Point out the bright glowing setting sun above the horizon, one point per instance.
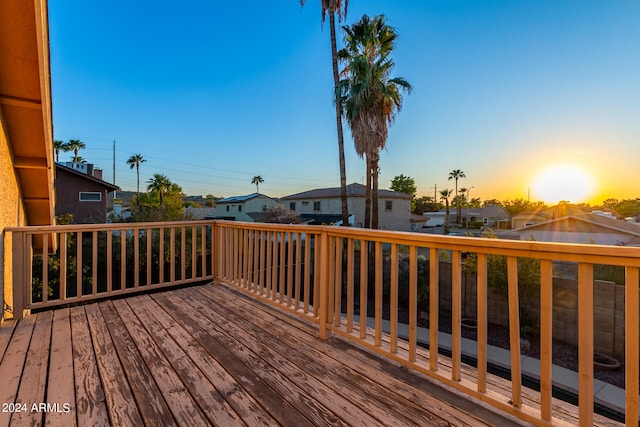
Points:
(563, 182)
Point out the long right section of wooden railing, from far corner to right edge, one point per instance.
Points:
(352, 269)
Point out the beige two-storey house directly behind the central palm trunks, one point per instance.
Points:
(394, 208)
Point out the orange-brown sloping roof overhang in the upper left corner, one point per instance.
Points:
(25, 103)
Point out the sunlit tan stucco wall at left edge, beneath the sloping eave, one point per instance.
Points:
(11, 213)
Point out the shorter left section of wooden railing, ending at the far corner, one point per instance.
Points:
(76, 263)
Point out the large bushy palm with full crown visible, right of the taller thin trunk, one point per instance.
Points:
(370, 97)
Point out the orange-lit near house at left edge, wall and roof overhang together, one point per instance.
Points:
(26, 132)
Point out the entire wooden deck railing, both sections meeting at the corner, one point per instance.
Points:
(342, 278)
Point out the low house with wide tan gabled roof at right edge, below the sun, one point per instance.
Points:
(585, 228)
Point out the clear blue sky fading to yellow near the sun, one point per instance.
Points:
(212, 93)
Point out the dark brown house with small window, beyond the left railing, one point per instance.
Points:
(82, 195)
